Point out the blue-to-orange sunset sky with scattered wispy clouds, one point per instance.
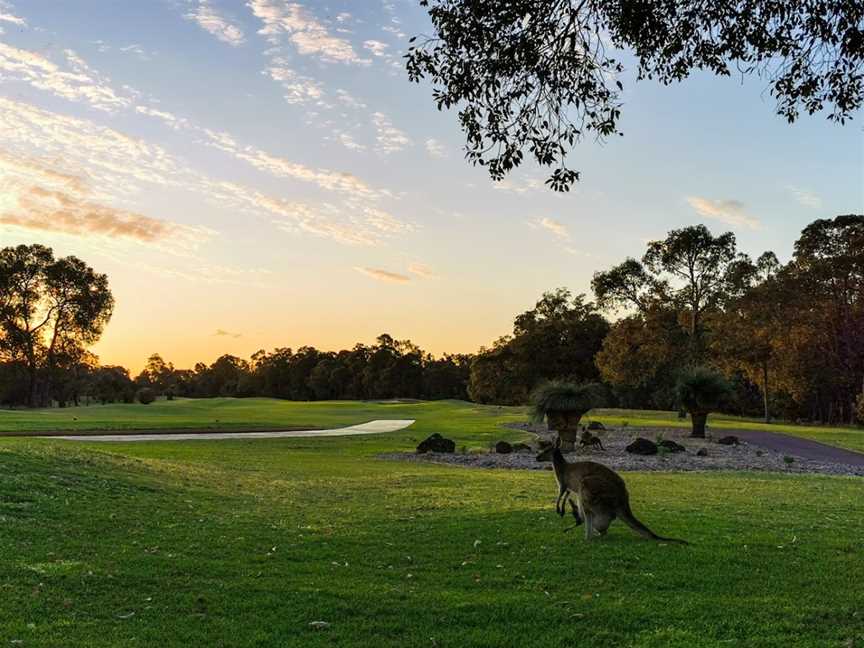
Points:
(260, 174)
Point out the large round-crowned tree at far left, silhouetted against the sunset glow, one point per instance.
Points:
(51, 310)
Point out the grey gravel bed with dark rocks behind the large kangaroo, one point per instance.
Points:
(720, 457)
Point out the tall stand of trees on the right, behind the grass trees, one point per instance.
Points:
(789, 337)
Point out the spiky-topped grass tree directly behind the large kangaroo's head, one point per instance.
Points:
(563, 404)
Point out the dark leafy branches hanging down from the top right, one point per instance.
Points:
(535, 77)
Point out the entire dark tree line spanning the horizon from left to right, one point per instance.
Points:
(789, 337)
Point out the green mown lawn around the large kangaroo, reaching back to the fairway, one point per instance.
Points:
(245, 543)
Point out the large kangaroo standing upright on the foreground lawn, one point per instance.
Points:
(600, 494)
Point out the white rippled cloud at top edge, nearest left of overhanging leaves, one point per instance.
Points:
(303, 30)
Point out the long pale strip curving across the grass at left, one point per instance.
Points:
(372, 427)
